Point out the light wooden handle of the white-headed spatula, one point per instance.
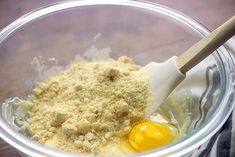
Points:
(206, 46)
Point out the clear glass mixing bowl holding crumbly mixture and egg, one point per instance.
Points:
(44, 41)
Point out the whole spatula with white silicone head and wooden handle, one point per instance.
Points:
(164, 77)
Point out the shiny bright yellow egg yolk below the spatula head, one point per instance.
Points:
(149, 135)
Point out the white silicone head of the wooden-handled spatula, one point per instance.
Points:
(163, 79)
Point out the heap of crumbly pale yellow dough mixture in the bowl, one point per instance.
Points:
(89, 104)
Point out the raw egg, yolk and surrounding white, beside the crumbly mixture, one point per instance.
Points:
(146, 135)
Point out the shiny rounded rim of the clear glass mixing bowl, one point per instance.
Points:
(32, 148)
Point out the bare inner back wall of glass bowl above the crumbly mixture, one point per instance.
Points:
(145, 36)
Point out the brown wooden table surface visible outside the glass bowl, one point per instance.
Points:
(211, 13)
